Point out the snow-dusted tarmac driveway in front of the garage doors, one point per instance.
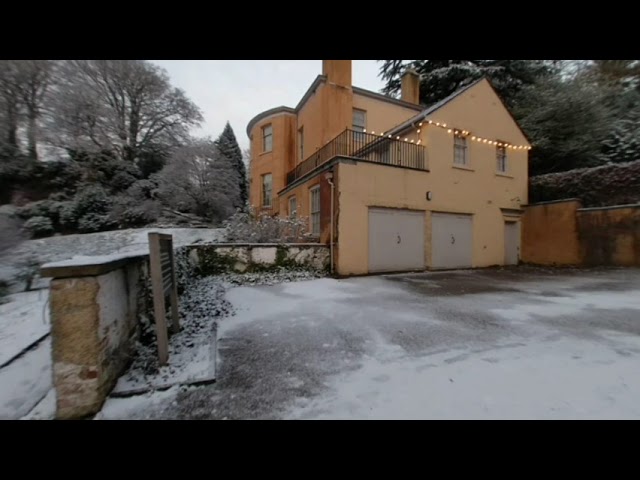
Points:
(483, 344)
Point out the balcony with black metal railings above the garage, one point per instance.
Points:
(365, 147)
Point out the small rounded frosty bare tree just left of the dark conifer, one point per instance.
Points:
(200, 180)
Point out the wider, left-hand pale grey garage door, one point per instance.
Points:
(396, 240)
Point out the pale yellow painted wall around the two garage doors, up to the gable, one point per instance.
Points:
(478, 190)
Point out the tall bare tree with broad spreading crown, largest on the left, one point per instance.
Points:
(124, 105)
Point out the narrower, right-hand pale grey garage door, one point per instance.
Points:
(451, 240)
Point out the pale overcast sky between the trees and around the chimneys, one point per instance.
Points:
(237, 90)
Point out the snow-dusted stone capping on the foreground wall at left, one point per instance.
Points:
(86, 266)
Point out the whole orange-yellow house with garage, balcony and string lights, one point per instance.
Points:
(390, 184)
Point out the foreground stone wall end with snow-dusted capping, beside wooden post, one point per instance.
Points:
(94, 304)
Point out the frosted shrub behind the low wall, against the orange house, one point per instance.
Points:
(247, 227)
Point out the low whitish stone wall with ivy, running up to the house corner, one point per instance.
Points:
(240, 258)
